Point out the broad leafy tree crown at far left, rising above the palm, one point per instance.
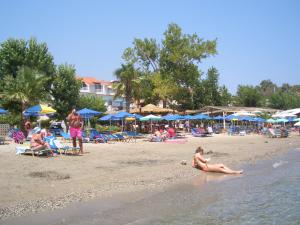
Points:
(16, 53)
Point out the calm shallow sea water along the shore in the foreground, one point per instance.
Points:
(268, 193)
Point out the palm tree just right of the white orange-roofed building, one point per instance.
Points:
(128, 84)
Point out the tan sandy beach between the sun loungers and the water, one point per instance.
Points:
(34, 184)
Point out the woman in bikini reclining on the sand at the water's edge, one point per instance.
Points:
(199, 162)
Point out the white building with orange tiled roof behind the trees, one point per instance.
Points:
(92, 86)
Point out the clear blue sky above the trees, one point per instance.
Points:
(257, 39)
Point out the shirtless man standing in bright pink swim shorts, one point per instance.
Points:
(76, 124)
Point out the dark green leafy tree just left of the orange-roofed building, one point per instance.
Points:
(65, 90)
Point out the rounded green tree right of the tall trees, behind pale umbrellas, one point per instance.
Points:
(248, 96)
